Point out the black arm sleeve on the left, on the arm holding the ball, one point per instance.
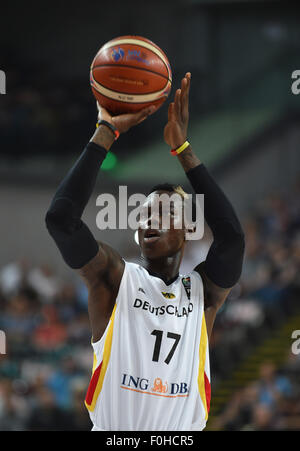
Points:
(63, 219)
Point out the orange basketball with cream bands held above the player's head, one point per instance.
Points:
(130, 73)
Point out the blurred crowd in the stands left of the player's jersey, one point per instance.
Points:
(46, 369)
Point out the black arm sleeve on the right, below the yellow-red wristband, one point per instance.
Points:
(224, 260)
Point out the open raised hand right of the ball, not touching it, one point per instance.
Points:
(175, 132)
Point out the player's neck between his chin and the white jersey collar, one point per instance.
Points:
(166, 268)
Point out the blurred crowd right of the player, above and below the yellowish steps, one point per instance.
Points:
(267, 294)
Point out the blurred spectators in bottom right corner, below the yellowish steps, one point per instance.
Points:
(271, 403)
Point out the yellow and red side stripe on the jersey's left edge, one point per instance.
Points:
(98, 372)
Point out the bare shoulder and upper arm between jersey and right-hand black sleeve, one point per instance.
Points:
(214, 297)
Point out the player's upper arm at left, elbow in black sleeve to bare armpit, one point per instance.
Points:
(100, 266)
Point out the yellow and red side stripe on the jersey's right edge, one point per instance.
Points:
(203, 380)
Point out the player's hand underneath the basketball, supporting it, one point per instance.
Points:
(124, 122)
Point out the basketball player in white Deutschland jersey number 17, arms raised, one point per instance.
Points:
(150, 325)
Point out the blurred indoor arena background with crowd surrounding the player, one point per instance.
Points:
(244, 125)
